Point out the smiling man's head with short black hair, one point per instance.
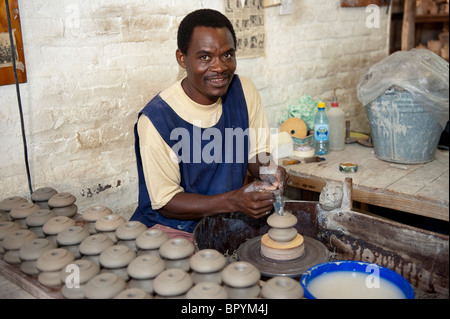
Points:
(206, 49)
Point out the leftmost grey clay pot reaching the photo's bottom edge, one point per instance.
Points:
(75, 276)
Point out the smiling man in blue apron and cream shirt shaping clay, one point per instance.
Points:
(196, 140)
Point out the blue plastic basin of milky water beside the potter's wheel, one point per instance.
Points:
(372, 271)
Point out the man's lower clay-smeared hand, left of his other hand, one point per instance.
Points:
(255, 199)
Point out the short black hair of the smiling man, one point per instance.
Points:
(201, 18)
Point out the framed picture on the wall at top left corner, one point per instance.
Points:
(6, 61)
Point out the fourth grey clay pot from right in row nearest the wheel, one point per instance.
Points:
(176, 253)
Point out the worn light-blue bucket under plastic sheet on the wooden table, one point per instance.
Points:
(402, 132)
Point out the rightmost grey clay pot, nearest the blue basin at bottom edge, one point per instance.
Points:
(282, 288)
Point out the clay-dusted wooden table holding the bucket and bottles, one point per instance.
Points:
(421, 189)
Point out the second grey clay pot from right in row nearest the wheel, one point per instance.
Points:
(240, 274)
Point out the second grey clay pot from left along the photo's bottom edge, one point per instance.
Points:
(104, 286)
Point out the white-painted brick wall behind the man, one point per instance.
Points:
(92, 65)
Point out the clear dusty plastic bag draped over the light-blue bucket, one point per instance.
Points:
(419, 71)
